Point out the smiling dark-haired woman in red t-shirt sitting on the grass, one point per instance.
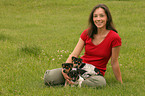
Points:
(101, 42)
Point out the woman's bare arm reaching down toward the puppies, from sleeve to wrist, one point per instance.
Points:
(77, 50)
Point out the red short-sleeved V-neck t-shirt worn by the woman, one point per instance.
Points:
(99, 55)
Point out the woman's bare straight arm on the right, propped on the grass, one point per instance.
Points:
(115, 63)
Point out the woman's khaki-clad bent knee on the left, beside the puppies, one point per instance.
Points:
(53, 77)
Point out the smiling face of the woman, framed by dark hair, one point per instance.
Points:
(100, 18)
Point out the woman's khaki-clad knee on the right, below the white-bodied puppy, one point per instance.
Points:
(94, 81)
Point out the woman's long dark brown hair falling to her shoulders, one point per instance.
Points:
(109, 24)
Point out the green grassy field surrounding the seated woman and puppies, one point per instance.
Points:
(36, 35)
